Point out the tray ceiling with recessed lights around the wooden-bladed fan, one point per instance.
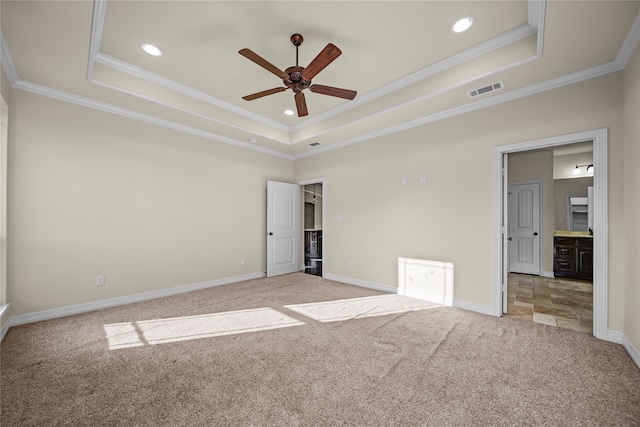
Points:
(400, 56)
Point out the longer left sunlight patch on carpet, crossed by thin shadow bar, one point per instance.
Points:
(160, 331)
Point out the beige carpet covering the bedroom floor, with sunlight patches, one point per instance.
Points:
(298, 350)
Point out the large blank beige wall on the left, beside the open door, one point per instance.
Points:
(149, 208)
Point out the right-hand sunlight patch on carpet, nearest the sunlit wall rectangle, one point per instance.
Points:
(335, 311)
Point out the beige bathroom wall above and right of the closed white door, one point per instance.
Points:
(538, 166)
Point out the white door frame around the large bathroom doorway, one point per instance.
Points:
(599, 138)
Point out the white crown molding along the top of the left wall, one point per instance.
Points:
(135, 115)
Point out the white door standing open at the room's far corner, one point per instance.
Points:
(283, 228)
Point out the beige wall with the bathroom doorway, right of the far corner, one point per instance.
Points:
(450, 218)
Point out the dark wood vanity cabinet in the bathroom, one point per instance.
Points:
(573, 257)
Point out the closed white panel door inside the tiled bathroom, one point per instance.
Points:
(524, 228)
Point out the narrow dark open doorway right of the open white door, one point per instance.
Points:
(313, 227)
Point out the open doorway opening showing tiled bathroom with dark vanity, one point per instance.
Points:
(550, 244)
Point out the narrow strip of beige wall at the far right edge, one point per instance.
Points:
(632, 200)
